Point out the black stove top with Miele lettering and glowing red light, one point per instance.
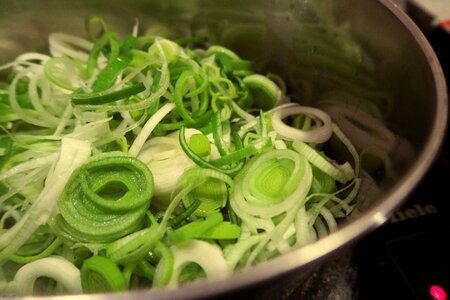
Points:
(408, 257)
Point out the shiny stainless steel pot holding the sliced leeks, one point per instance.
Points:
(378, 35)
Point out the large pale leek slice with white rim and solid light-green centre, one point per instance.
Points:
(270, 184)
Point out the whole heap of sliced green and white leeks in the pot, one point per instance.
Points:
(146, 162)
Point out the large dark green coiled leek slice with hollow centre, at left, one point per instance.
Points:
(106, 198)
